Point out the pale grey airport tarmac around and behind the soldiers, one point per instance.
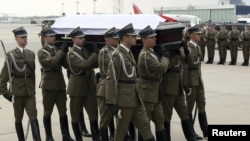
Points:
(226, 88)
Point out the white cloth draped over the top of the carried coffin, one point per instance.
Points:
(97, 24)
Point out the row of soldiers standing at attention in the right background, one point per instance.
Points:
(224, 38)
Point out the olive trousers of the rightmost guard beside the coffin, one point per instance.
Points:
(197, 96)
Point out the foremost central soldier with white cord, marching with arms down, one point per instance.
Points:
(121, 94)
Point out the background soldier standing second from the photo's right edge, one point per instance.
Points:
(234, 41)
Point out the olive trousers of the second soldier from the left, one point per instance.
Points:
(52, 97)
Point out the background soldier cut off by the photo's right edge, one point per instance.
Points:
(245, 35)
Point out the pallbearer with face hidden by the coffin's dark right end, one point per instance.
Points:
(172, 92)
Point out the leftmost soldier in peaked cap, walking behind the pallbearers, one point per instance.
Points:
(19, 70)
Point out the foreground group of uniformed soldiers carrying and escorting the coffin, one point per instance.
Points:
(132, 91)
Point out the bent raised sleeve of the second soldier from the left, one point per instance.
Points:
(49, 61)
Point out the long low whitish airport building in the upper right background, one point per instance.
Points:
(226, 11)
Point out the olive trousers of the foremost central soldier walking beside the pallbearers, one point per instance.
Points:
(138, 116)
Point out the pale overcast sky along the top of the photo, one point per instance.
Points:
(55, 7)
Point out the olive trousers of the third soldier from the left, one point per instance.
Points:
(78, 102)
